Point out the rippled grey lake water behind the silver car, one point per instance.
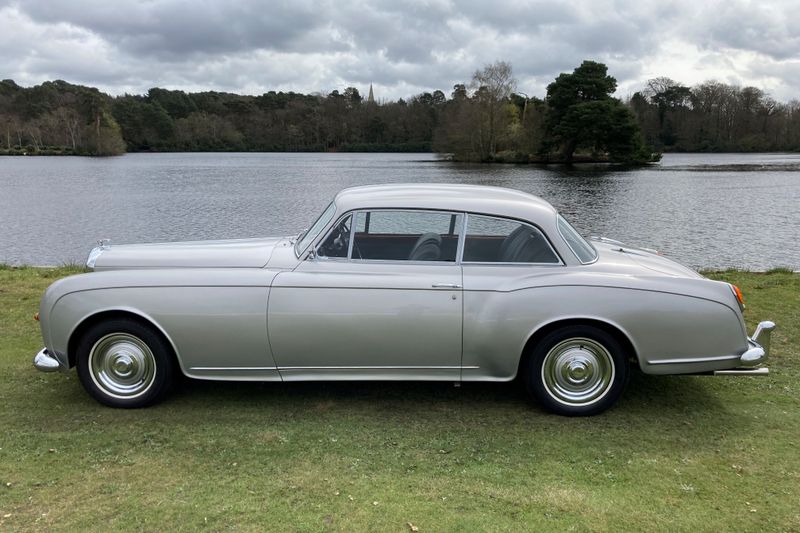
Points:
(705, 210)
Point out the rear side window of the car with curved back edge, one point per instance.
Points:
(499, 240)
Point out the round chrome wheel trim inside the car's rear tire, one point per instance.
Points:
(578, 372)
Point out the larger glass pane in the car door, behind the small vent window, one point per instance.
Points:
(406, 235)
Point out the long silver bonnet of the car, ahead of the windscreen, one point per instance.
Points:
(239, 253)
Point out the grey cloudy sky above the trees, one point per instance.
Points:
(403, 48)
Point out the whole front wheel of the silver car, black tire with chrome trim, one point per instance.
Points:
(124, 363)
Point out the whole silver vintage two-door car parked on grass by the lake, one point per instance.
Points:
(398, 282)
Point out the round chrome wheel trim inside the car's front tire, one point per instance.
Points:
(122, 365)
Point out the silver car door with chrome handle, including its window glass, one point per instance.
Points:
(382, 301)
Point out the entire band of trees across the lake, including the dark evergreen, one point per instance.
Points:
(484, 119)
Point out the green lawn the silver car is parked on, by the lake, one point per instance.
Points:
(677, 453)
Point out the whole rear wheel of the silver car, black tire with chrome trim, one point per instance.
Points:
(577, 371)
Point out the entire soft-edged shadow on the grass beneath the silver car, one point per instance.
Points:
(664, 411)
